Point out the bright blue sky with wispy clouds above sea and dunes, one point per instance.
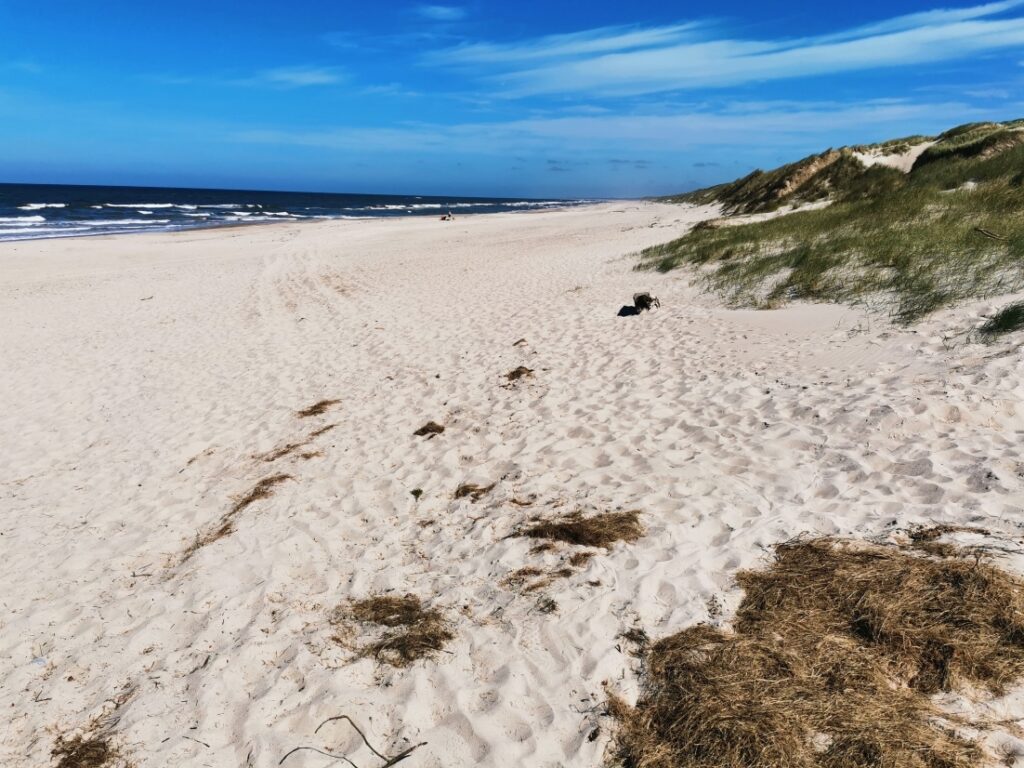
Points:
(595, 99)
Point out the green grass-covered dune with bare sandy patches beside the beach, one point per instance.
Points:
(951, 229)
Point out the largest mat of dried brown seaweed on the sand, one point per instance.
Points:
(836, 651)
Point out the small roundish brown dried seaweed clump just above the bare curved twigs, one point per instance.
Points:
(404, 630)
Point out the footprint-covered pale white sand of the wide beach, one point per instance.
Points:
(131, 423)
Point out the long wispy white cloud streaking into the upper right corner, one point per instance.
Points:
(617, 62)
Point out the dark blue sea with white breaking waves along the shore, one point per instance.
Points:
(36, 211)
